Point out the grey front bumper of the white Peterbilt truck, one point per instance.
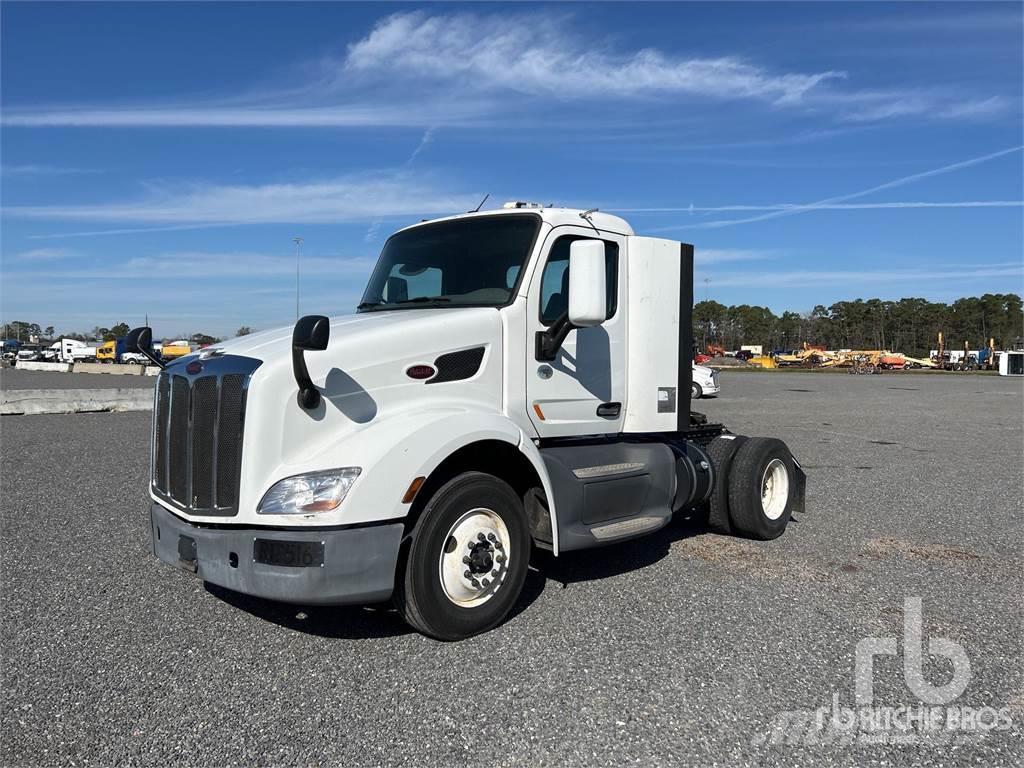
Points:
(359, 563)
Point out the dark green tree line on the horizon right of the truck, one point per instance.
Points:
(911, 326)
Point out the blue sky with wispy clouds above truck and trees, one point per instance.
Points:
(158, 159)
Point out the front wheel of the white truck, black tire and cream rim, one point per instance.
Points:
(467, 561)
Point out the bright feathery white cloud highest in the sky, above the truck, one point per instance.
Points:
(539, 56)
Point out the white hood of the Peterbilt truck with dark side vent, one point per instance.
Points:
(362, 376)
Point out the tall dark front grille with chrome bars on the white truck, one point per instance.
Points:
(197, 435)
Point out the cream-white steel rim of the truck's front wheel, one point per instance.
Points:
(464, 543)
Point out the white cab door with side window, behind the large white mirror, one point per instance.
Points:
(581, 392)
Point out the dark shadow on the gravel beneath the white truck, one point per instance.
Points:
(345, 622)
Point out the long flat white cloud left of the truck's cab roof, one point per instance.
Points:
(353, 198)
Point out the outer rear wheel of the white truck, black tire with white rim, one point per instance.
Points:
(761, 485)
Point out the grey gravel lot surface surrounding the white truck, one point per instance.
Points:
(679, 649)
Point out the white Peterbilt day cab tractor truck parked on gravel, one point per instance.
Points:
(513, 379)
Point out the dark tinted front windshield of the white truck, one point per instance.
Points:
(467, 263)
